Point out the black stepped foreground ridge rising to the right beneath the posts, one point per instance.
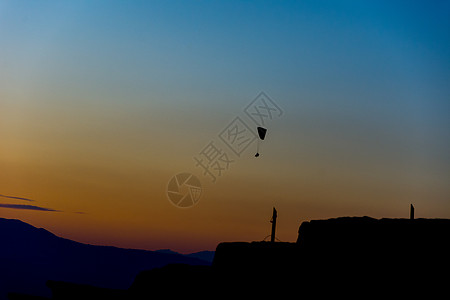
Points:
(350, 256)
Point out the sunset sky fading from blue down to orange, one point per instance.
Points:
(102, 102)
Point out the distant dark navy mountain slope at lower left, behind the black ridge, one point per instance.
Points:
(30, 256)
